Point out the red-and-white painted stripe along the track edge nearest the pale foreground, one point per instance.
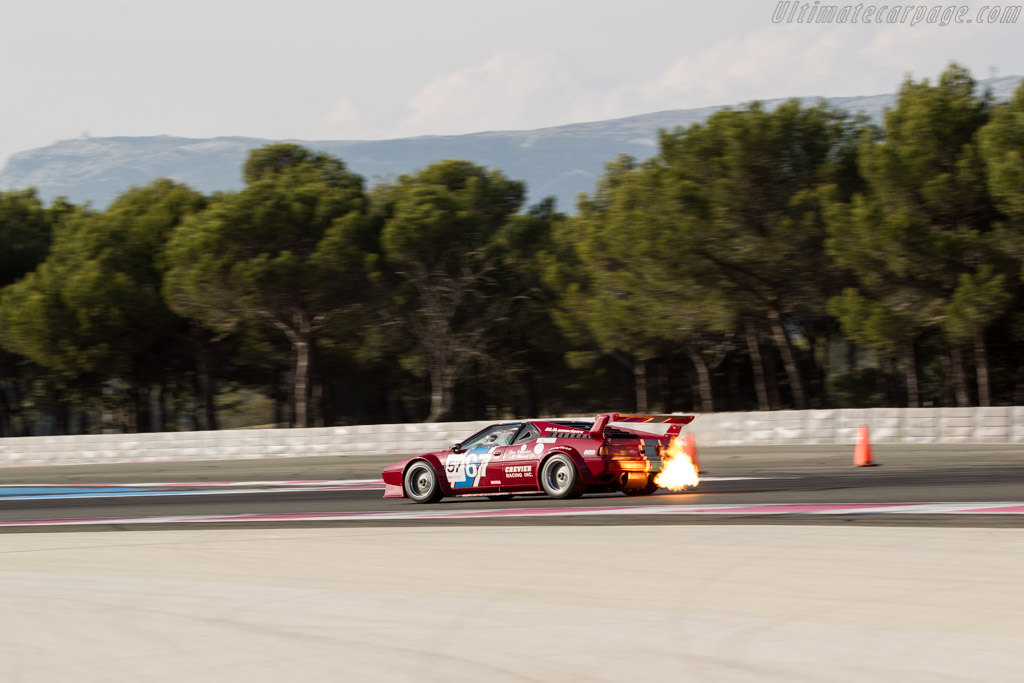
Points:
(1007, 508)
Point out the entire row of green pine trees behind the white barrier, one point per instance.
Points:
(797, 235)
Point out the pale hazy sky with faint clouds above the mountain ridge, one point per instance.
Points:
(335, 70)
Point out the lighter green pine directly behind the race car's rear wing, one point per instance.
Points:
(629, 289)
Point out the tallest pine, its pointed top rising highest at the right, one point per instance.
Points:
(918, 234)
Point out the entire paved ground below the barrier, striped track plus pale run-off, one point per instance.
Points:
(784, 565)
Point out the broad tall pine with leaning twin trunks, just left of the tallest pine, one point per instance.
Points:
(747, 191)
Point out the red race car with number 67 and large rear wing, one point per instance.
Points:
(562, 458)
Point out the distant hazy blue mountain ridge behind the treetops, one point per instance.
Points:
(560, 161)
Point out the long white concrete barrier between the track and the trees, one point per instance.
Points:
(927, 425)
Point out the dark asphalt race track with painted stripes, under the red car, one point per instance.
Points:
(933, 486)
